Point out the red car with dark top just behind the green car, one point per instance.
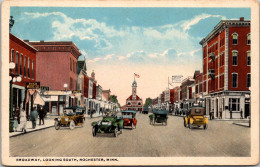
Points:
(129, 118)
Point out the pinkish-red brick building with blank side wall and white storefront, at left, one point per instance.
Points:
(57, 66)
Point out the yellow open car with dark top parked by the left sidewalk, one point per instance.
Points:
(72, 116)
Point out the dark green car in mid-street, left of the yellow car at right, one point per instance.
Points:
(159, 116)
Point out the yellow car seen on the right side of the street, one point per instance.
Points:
(196, 117)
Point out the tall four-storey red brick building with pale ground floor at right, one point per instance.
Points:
(226, 69)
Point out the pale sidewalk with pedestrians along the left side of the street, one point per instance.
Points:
(48, 122)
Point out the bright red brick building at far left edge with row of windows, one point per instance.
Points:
(24, 57)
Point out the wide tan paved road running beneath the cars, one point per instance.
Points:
(220, 139)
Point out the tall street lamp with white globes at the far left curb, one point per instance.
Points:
(12, 78)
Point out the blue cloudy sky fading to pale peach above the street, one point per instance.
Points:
(155, 43)
